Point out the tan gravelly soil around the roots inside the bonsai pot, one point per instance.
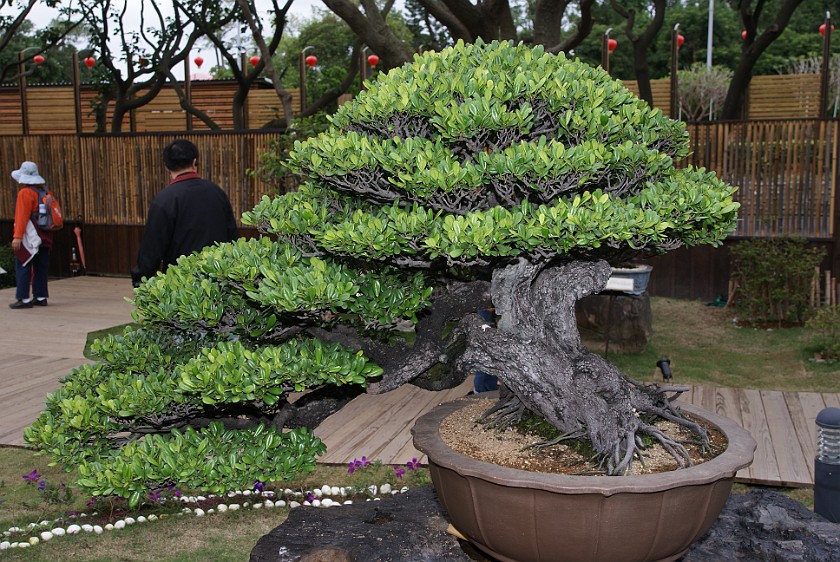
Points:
(513, 448)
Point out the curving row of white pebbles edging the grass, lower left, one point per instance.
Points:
(326, 496)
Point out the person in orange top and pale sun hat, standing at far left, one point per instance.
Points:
(35, 271)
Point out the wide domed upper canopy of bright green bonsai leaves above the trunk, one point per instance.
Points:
(485, 152)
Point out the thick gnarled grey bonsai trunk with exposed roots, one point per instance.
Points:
(536, 351)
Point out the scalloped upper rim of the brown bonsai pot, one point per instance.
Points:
(738, 454)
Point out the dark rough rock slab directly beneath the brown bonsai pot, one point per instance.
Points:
(758, 526)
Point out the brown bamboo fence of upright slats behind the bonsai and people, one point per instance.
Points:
(786, 171)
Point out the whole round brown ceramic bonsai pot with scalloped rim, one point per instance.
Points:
(516, 515)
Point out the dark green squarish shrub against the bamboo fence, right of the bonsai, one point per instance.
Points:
(774, 277)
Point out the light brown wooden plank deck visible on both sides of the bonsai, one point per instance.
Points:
(41, 345)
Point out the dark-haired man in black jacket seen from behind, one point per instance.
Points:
(189, 214)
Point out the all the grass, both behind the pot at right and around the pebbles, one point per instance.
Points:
(704, 344)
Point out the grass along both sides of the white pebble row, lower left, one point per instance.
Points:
(217, 537)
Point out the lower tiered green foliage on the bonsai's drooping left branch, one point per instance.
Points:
(219, 341)
